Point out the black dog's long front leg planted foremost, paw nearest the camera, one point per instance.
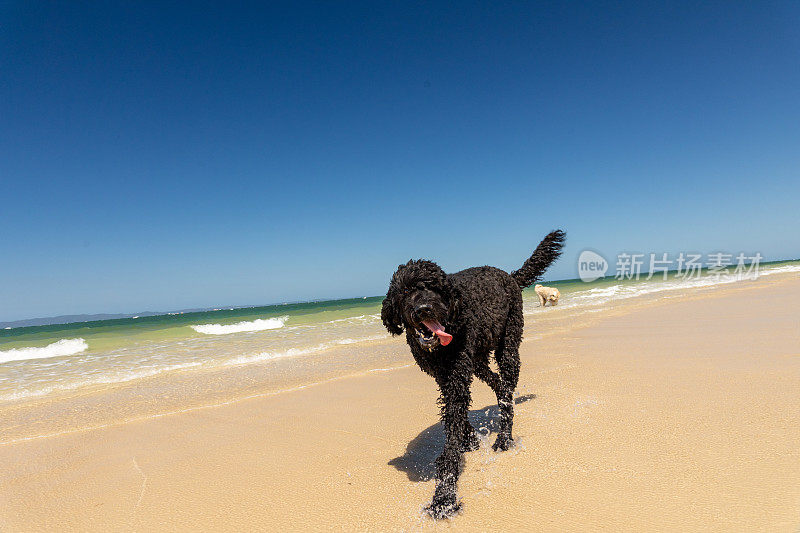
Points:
(455, 402)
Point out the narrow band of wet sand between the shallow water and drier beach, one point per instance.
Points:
(103, 407)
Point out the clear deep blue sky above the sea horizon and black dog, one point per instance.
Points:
(168, 155)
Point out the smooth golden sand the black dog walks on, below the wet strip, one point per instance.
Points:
(677, 415)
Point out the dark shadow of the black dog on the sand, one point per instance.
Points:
(418, 461)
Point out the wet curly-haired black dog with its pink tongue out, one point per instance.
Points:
(480, 311)
